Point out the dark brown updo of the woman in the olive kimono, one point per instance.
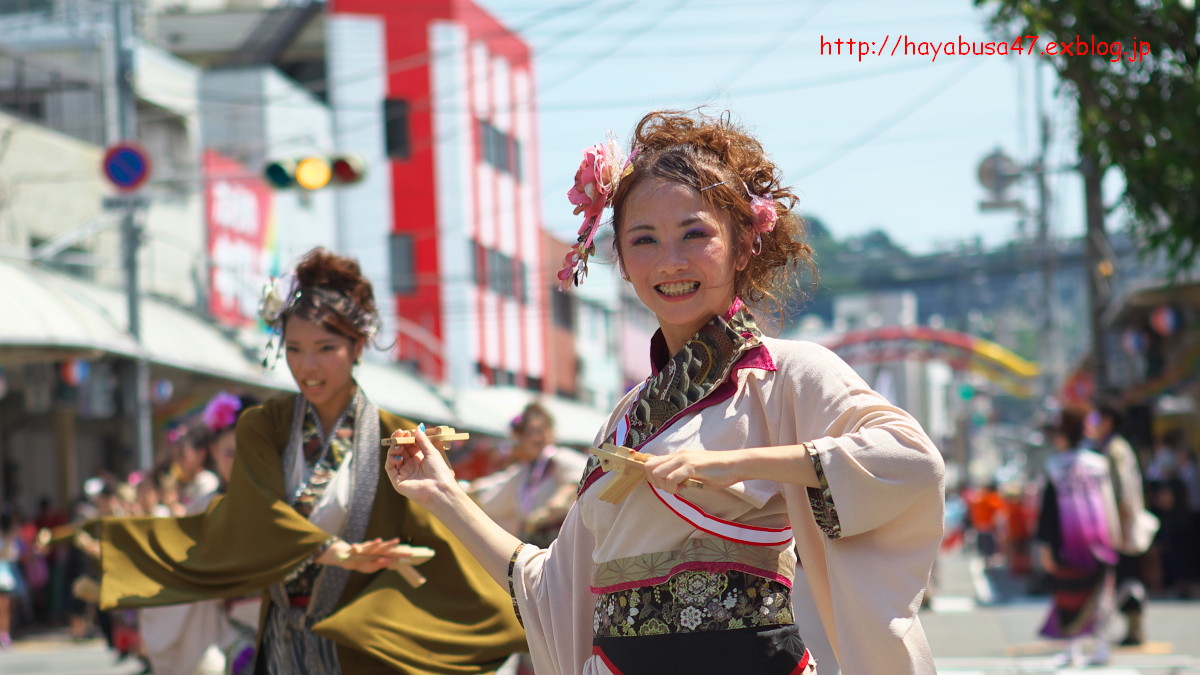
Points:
(335, 294)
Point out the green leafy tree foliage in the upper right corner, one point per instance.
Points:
(1139, 114)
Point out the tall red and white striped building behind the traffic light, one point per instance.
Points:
(459, 118)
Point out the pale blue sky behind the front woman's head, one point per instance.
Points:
(889, 142)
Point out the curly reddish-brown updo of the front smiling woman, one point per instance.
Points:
(717, 158)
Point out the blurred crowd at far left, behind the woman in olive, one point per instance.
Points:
(47, 559)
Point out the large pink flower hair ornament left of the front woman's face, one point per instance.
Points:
(596, 182)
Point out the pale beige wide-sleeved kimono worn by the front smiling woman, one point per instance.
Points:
(866, 542)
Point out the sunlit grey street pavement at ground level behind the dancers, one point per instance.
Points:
(981, 623)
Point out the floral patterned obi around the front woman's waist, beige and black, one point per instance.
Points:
(709, 586)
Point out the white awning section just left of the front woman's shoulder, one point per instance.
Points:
(490, 411)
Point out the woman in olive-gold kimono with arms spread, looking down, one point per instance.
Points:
(309, 521)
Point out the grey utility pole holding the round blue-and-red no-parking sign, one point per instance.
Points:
(131, 230)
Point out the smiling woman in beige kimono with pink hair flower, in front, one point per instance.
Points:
(795, 452)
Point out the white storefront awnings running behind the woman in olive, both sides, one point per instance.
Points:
(47, 316)
